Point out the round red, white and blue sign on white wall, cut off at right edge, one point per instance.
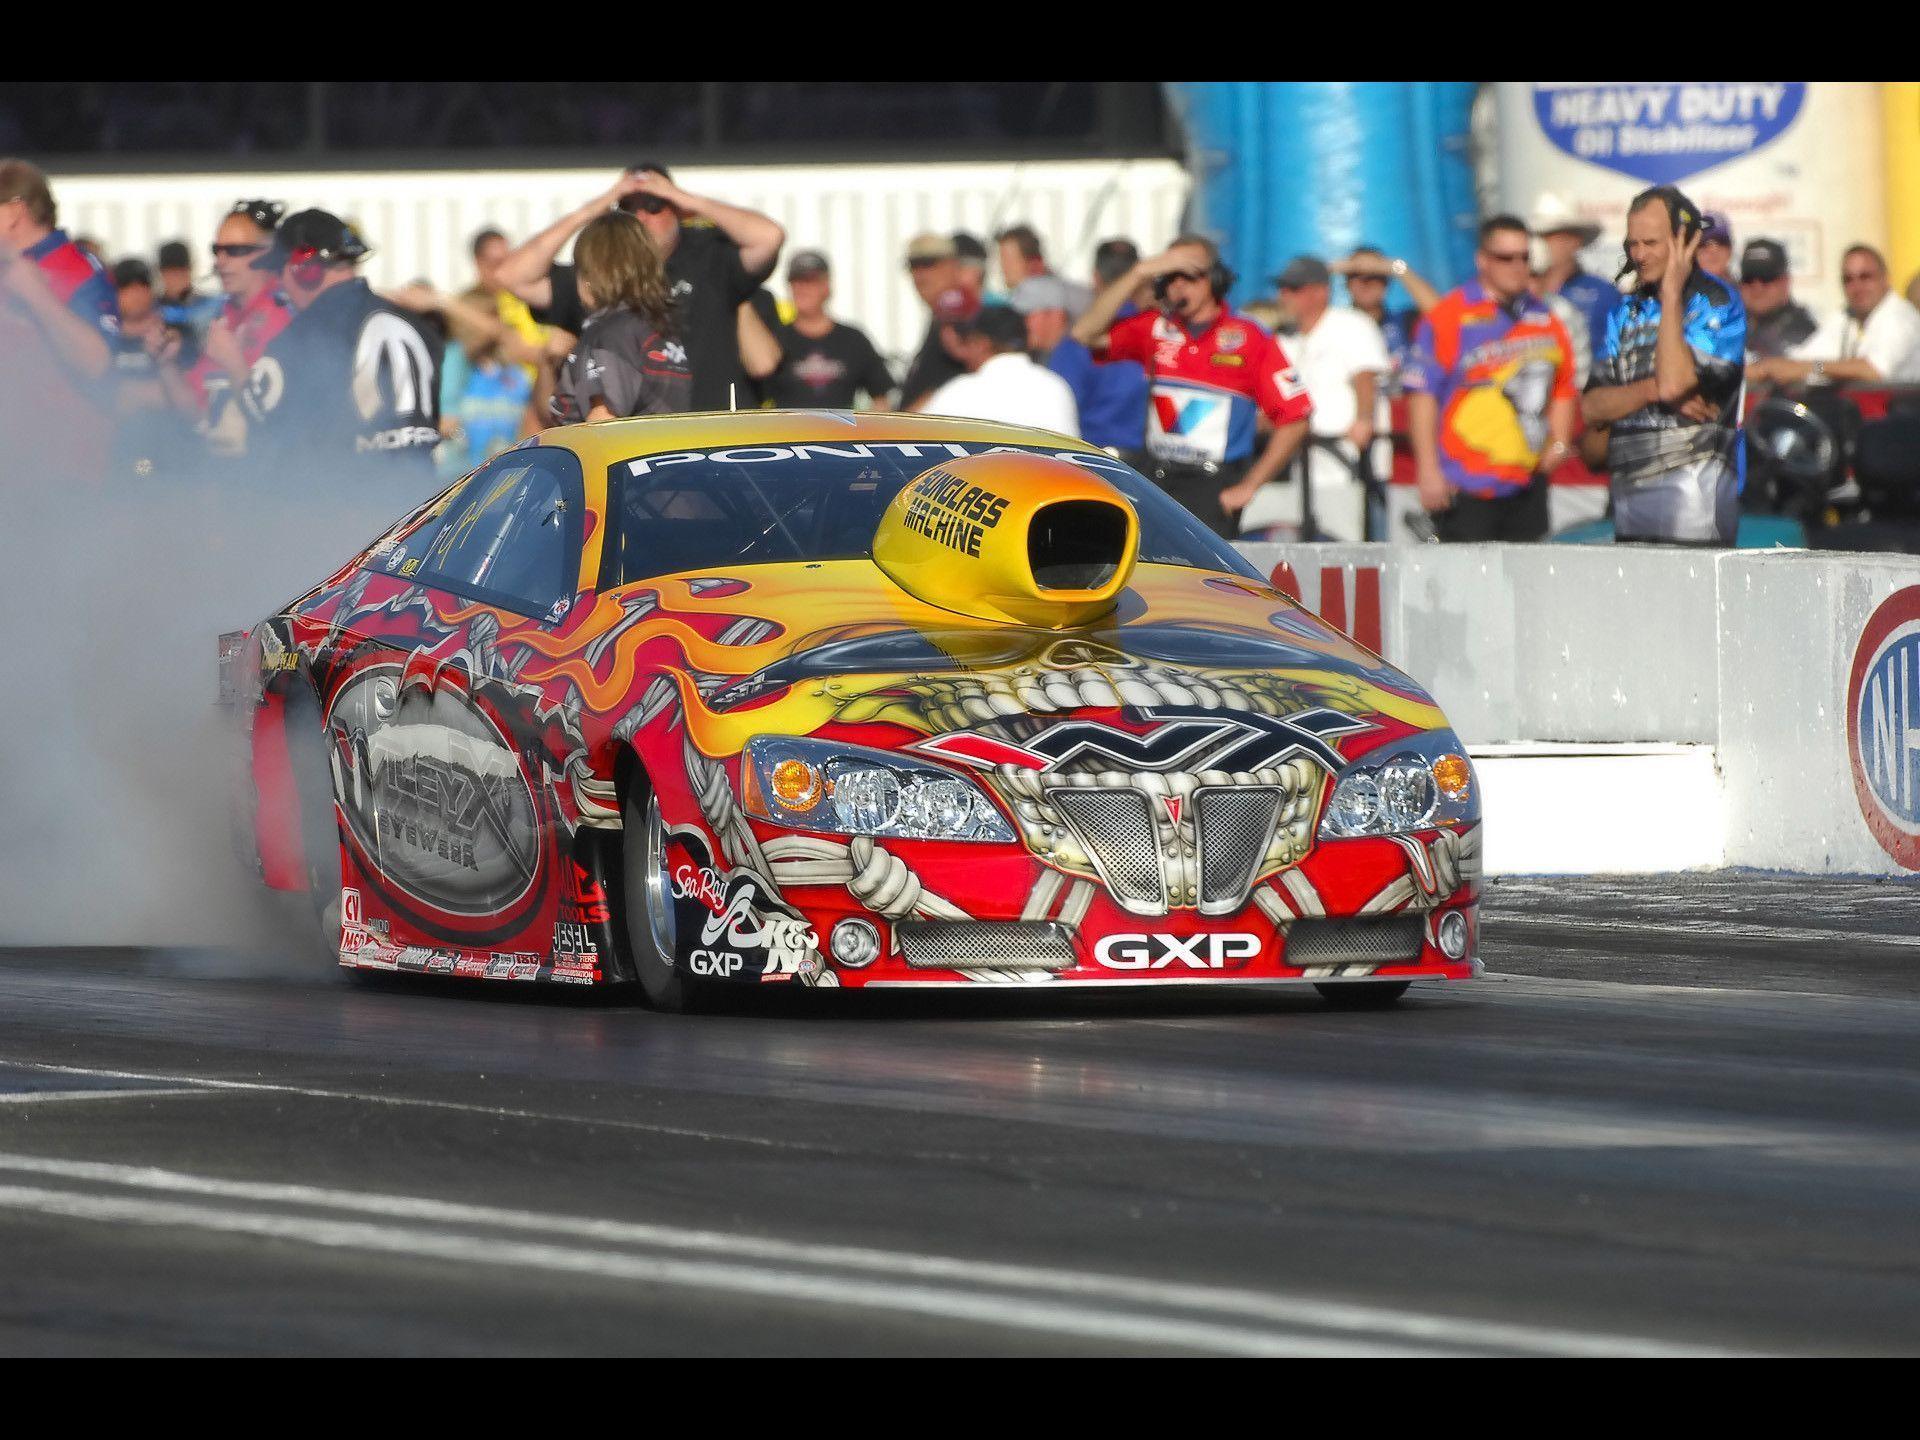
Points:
(1884, 725)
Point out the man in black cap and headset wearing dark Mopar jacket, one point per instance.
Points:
(350, 385)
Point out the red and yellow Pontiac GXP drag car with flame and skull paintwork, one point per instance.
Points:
(840, 702)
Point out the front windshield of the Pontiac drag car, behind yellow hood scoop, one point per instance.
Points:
(719, 510)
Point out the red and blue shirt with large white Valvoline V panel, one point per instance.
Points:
(1205, 389)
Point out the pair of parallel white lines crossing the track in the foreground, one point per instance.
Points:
(1019, 1297)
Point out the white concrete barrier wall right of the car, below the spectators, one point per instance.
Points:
(1746, 652)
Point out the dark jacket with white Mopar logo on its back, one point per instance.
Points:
(350, 383)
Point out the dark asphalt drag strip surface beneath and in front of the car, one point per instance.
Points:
(1677, 1116)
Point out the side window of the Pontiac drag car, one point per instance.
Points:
(512, 535)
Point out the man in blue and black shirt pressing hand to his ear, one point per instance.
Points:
(1668, 385)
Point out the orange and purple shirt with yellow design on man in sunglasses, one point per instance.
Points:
(1493, 370)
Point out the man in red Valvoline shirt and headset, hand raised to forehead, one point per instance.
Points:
(1209, 373)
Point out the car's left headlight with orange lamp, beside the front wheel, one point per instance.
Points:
(850, 790)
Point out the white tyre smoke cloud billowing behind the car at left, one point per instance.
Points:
(114, 754)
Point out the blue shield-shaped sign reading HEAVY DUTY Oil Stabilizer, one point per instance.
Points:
(1664, 133)
